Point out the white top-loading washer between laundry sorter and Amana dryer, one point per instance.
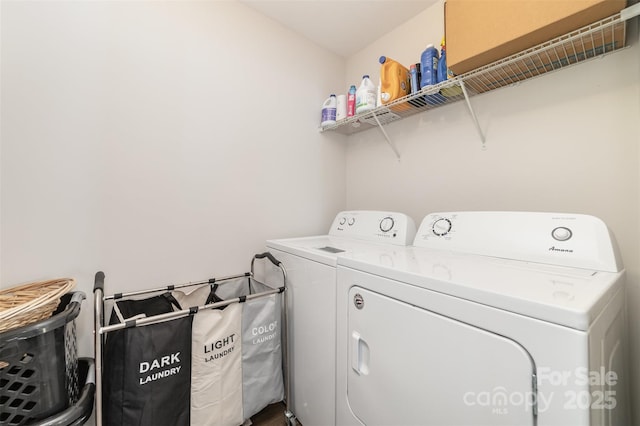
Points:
(310, 263)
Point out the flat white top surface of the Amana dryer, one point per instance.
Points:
(566, 296)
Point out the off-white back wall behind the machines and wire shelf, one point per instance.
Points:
(565, 142)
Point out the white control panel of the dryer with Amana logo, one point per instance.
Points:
(563, 239)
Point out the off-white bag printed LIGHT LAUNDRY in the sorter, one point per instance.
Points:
(216, 363)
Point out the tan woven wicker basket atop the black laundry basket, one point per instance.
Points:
(29, 303)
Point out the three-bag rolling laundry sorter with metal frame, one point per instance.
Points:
(211, 352)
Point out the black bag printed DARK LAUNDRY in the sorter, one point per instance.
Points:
(147, 369)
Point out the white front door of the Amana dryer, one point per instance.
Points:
(410, 366)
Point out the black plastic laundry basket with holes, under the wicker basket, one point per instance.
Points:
(39, 366)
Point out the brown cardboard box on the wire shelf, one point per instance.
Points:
(479, 32)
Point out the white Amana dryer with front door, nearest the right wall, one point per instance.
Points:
(492, 318)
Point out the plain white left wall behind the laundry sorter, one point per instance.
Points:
(160, 142)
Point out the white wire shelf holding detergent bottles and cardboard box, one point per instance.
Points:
(591, 41)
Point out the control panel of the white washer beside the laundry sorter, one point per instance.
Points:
(387, 227)
